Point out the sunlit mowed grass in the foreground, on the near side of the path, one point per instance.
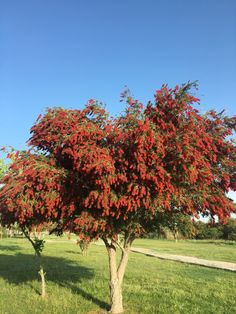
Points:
(77, 284)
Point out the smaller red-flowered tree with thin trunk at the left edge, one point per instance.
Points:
(29, 197)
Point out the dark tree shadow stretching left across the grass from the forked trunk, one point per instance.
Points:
(23, 268)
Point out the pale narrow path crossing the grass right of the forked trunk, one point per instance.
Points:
(187, 259)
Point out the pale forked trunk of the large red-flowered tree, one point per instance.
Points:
(116, 276)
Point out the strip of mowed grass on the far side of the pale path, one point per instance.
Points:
(207, 249)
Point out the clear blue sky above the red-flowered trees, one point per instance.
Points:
(62, 53)
